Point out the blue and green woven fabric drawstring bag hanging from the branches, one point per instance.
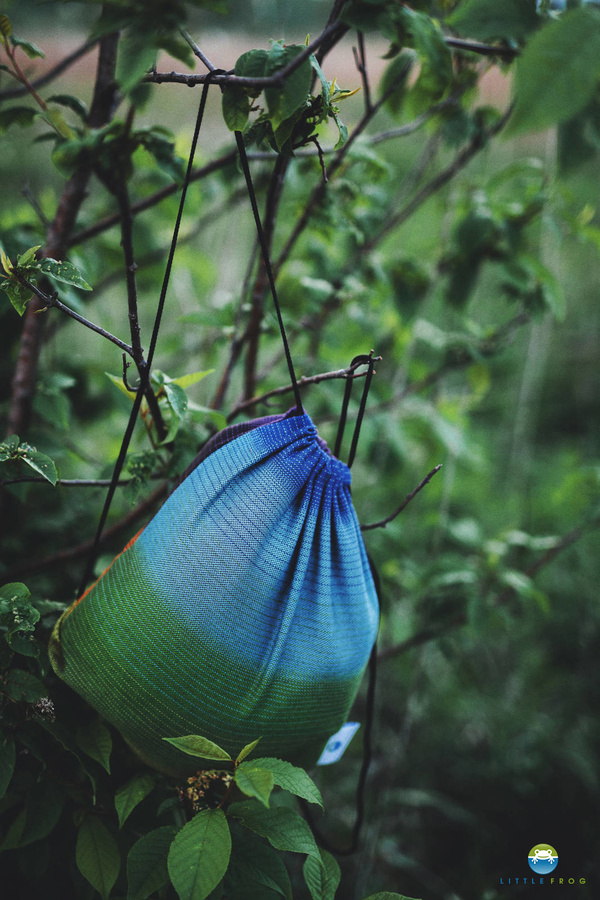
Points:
(244, 609)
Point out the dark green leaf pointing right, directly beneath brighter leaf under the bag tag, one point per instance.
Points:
(284, 828)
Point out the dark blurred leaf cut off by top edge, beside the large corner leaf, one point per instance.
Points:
(488, 20)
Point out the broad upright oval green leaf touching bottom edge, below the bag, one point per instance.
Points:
(199, 855)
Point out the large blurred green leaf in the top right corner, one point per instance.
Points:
(557, 74)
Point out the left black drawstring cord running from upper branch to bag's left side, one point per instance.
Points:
(145, 375)
